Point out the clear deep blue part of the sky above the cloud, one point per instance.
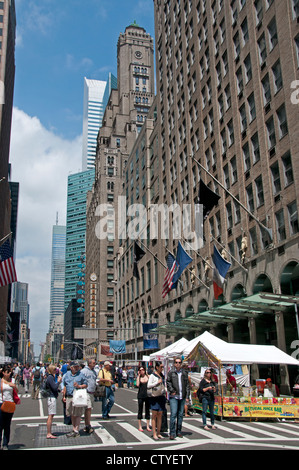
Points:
(61, 41)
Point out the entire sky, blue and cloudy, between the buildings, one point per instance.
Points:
(58, 43)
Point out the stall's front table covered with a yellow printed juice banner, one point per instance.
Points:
(253, 407)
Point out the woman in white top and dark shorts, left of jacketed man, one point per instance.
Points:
(157, 402)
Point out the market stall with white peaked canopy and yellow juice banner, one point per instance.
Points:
(245, 400)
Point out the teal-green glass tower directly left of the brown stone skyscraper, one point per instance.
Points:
(78, 186)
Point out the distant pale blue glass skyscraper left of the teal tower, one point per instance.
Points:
(57, 279)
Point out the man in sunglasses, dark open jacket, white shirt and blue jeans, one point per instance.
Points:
(178, 387)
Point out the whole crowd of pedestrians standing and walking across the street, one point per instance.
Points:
(80, 385)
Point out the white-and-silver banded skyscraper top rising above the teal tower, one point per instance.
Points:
(93, 111)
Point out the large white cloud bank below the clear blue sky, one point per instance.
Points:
(41, 162)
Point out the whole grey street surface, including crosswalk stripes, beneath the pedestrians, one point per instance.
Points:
(120, 432)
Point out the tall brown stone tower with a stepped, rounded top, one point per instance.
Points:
(125, 113)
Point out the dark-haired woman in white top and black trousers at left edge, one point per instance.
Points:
(7, 401)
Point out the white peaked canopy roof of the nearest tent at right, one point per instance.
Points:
(235, 353)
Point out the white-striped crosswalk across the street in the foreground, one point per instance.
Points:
(121, 431)
